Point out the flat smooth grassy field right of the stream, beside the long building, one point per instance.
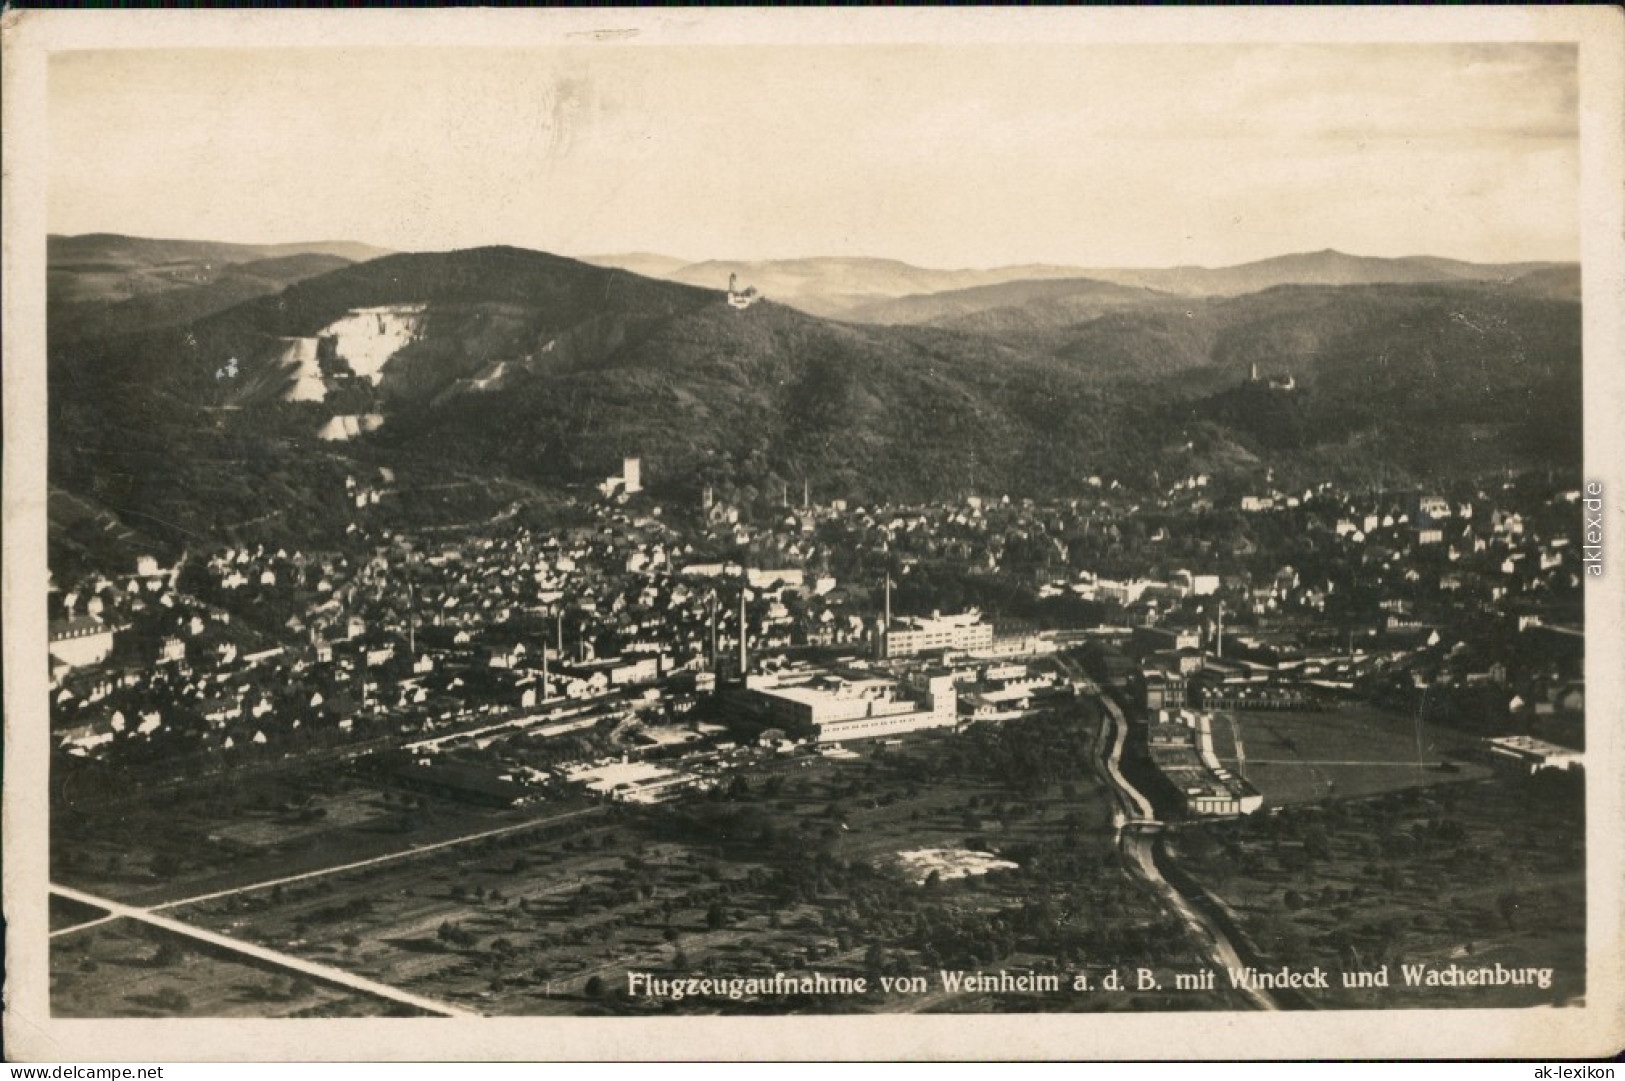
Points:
(1348, 752)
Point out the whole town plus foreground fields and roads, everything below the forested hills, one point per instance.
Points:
(505, 766)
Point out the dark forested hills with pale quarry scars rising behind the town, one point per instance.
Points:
(503, 363)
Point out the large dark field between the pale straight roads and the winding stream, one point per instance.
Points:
(792, 870)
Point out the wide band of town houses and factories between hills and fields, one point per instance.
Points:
(641, 651)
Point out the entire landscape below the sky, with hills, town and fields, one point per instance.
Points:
(479, 632)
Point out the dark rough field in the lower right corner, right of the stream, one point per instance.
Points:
(1480, 874)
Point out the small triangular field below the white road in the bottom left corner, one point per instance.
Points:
(126, 970)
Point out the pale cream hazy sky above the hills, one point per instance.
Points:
(950, 157)
